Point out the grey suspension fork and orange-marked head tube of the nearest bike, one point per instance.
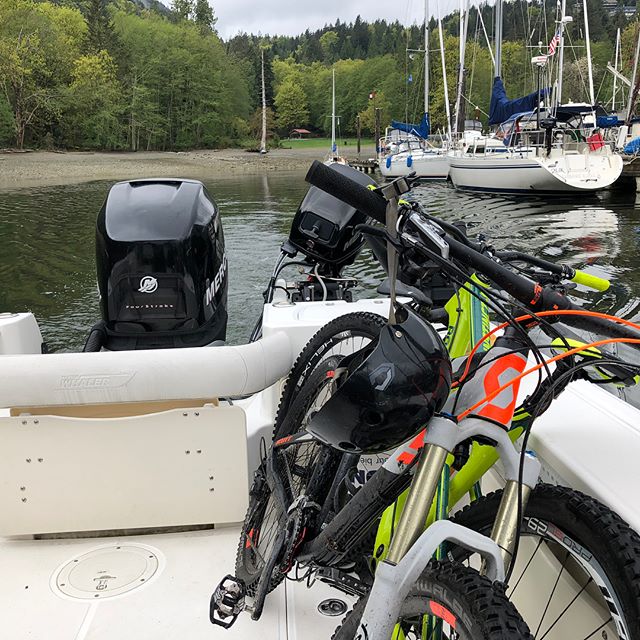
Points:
(413, 543)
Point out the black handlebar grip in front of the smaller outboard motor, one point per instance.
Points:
(343, 188)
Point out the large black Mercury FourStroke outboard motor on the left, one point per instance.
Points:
(162, 269)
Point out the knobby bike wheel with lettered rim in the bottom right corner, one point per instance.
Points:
(577, 572)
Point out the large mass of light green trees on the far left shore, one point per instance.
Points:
(155, 84)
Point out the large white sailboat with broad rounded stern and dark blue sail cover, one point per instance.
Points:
(535, 150)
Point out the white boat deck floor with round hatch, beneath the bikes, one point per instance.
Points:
(170, 604)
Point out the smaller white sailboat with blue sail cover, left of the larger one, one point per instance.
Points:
(403, 154)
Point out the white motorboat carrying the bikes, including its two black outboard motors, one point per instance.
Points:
(125, 470)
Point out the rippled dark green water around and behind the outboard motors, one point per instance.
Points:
(47, 261)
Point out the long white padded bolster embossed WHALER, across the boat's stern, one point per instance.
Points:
(140, 376)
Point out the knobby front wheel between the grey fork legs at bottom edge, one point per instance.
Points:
(466, 604)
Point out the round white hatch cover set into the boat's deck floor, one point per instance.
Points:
(107, 572)
